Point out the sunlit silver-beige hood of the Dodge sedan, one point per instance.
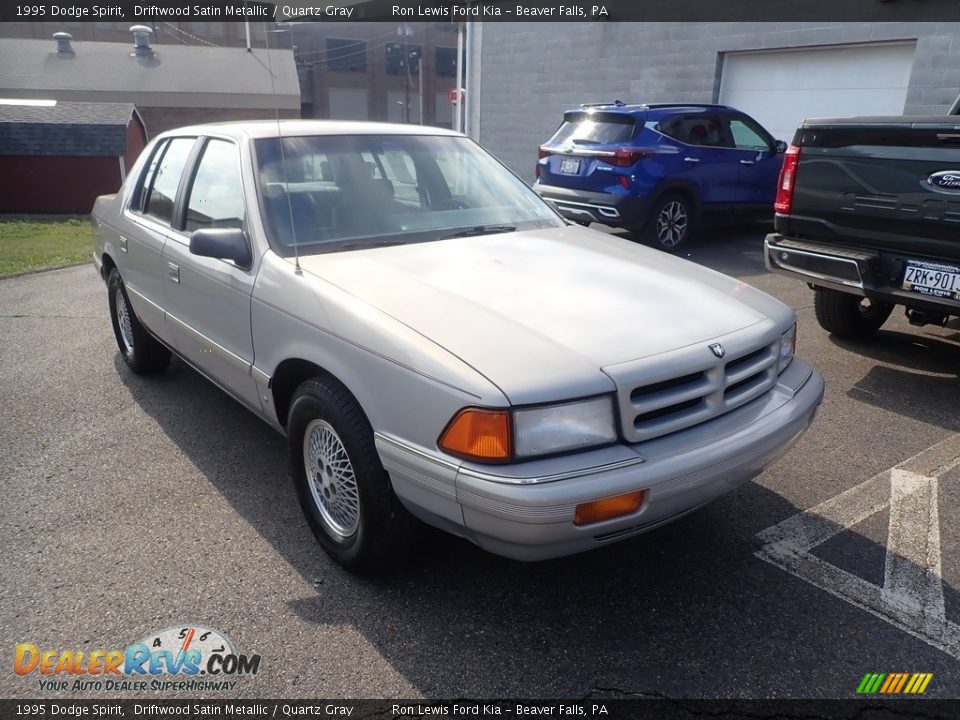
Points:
(539, 313)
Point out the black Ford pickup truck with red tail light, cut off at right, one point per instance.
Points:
(868, 214)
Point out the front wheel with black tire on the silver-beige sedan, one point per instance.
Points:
(363, 528)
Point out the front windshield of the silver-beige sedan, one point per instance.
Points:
(326, 192)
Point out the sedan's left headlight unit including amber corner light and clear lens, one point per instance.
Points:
(494, 435)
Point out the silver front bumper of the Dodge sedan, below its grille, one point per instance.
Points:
(530, 516)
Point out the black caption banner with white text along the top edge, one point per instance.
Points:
(483, 10)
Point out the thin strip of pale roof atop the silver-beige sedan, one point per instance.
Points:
(255, 129)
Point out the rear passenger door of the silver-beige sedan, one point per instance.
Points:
(148, 217)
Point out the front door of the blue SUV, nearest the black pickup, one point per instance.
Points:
(758, 162)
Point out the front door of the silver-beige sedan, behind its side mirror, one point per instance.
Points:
(208, 299)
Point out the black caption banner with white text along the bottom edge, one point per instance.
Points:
(612, 709)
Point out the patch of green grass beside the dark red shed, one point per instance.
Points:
(27, 245)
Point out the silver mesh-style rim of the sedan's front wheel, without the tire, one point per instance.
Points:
(331, 479)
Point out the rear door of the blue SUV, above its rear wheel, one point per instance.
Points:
(705, 156)
